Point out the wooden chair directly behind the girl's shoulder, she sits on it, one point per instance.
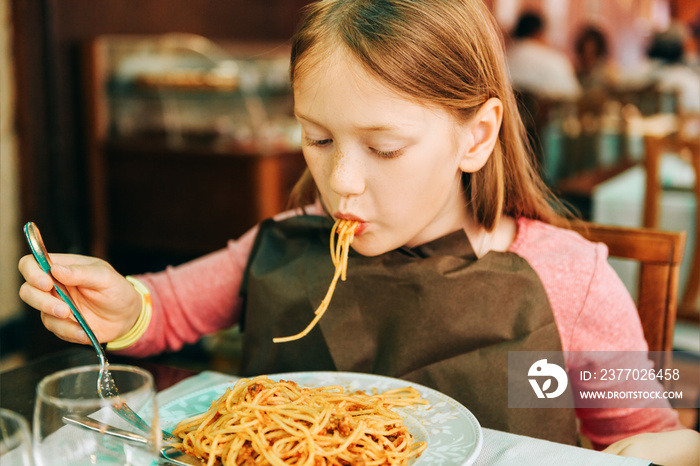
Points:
(659, 254)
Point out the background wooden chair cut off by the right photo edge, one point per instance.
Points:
(684, 141)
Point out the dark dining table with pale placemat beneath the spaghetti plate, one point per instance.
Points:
(17, 389)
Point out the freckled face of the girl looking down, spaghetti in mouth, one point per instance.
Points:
(379, 157)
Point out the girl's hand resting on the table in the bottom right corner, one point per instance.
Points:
(674, 448)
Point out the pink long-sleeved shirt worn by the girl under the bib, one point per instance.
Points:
(592, 309)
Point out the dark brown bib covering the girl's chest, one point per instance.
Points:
(432, 314)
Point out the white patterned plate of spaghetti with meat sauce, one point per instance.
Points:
(323, 418)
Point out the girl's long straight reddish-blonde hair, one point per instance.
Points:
(444, 52)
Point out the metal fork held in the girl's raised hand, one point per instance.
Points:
(106, 387)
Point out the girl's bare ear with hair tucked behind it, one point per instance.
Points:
(482, 134)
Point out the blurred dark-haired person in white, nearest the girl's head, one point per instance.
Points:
(536, 67)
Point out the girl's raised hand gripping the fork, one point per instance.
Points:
(107, 301)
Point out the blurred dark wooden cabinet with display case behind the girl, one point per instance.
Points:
(167, 184)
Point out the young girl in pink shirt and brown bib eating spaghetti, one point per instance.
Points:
(411, 129)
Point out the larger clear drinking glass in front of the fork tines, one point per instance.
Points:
(73, 393)
